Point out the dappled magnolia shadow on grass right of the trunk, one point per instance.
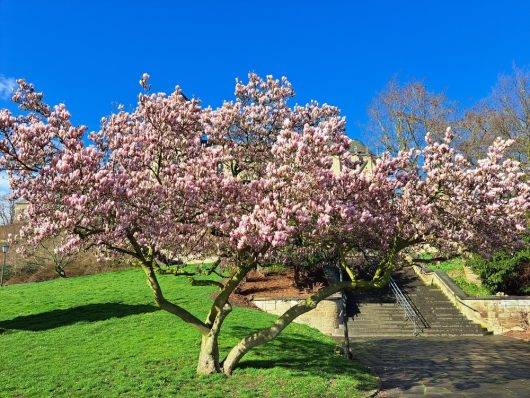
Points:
(301, 354)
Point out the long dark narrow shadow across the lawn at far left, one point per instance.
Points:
(85, 313)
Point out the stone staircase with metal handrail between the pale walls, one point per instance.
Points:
(376, 314)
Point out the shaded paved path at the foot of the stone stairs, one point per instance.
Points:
(485, 367)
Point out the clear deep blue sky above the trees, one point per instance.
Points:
(90, 54)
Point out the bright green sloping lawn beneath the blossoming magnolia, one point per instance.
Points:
(101, 336)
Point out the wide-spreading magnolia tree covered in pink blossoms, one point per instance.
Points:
(261, 191)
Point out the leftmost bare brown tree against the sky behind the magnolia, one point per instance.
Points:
(402, 114)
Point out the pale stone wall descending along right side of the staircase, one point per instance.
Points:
(499, 314)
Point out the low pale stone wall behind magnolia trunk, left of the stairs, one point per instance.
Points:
(325, 317)
